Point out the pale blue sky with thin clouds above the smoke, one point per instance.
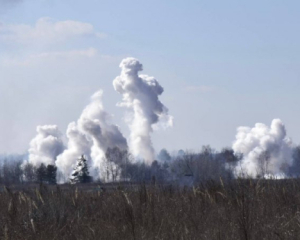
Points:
(223, 64)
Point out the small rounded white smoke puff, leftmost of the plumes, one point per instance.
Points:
(46, 146)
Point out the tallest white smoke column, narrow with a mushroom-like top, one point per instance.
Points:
(140, 93)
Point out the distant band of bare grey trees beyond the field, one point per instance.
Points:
(183, 168)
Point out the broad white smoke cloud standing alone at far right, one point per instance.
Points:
(261, 139)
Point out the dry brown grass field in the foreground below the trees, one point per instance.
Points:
(241, 209)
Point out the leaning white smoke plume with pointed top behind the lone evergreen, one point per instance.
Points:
(91, 135)
